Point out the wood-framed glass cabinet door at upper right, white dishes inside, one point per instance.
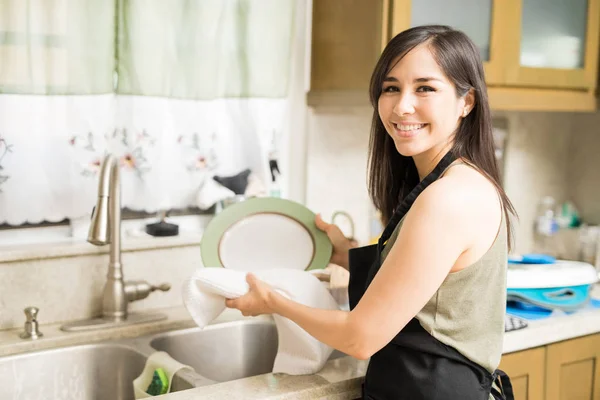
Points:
(554, 43)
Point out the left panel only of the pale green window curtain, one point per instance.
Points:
(57, 46)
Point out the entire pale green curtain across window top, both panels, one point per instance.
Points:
(189, 49)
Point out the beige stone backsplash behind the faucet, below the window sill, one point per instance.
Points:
(70, 288)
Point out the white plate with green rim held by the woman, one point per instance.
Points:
(264, 233)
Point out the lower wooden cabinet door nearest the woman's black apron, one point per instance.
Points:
(526, 372)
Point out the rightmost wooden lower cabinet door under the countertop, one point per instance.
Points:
(573, 369)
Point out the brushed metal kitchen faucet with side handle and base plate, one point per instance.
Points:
(105, 229)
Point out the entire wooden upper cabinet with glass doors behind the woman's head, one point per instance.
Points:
(537, 54)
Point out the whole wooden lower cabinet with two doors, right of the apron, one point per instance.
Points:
(568, 370)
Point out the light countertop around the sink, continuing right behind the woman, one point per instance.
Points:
(339, 379)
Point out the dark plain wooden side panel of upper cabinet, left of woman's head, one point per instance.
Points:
(347, 39)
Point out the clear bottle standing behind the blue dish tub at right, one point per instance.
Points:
(546, 228)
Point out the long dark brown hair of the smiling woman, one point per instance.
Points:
(391, 175)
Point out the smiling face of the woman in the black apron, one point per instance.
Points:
(418, 104)
